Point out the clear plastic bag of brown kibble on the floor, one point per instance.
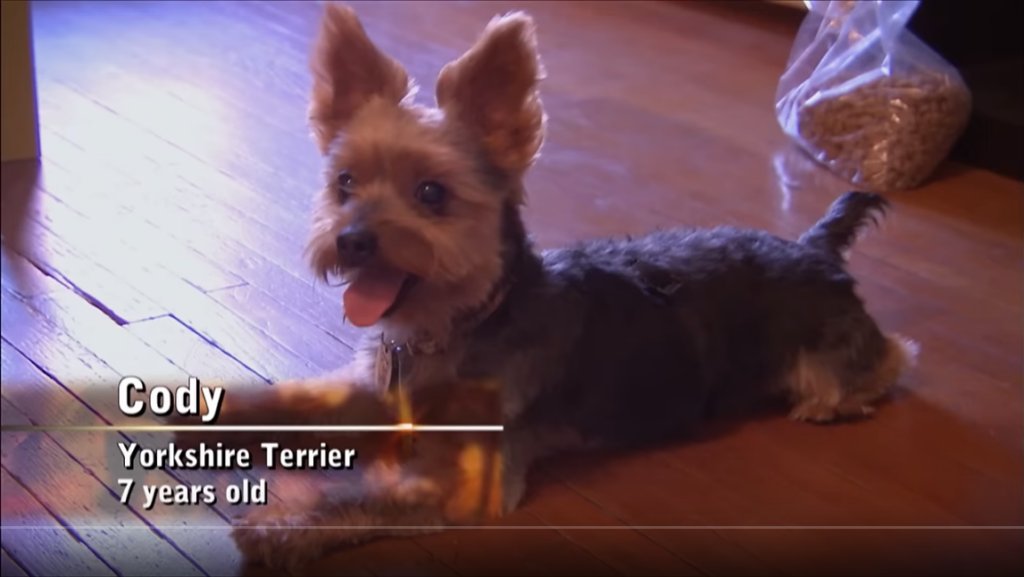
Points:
(868, 99)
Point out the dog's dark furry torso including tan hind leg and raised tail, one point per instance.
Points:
(629, 342)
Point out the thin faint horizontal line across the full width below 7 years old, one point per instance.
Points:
(548, 527)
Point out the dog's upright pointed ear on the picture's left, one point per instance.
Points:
(349, 72)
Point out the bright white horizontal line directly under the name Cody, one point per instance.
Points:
(261, 429)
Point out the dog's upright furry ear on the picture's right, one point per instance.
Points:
(493, 91)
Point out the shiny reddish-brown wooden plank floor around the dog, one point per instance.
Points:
(174, 200)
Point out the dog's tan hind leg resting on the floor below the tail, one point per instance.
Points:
(846, 380)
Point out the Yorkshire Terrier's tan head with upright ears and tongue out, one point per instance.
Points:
(412, 210)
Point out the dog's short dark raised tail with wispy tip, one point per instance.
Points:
(847, 218)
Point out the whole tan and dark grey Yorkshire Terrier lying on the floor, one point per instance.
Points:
(606, 345)
